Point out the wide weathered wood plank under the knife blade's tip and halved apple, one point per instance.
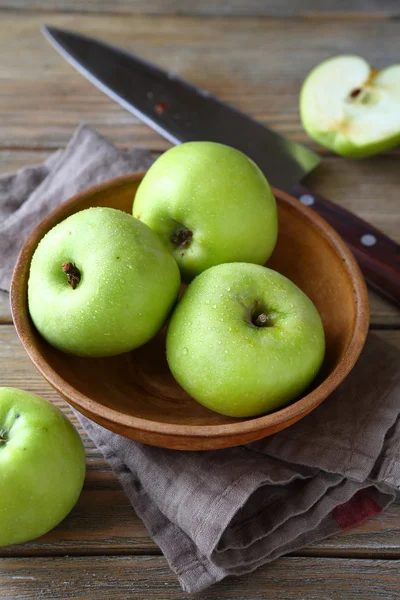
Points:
(256, 64)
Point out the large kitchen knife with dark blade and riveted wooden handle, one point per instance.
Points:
(181, 112)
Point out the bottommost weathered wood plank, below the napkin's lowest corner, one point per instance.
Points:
(149, 577)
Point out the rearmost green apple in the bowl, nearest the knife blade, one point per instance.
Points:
(209, 204)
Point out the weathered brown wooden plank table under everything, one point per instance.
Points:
(254, 54)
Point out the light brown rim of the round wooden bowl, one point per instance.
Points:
(84, 404)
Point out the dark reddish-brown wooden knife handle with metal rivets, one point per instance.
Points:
(377, 254)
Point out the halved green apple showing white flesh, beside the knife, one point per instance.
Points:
(350, 108)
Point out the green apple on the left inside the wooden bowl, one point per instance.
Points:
(101, 283)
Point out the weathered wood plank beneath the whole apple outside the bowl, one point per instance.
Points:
(103, 521)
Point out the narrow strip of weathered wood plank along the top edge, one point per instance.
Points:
(259, 8)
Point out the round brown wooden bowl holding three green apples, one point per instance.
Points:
(135, 395)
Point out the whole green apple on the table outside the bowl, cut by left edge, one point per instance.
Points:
(42, 466)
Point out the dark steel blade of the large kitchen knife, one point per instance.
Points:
(179, 111)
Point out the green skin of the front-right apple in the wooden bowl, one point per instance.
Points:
(230, 365)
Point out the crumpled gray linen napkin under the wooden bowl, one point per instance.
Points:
(226, 512)
